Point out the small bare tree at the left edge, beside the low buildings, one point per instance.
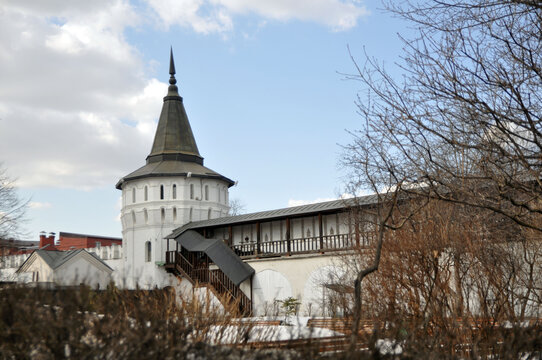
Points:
(12, 208)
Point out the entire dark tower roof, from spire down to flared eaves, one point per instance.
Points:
(174, 151)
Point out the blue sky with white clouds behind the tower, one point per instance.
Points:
(263, 82)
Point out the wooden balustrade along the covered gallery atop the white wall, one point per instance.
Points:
(298, 246)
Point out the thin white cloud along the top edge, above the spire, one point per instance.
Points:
(216, 16)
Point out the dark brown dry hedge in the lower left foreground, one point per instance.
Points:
(81, 323)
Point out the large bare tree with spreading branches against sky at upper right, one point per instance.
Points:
(465, 123)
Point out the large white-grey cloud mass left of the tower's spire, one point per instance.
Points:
(75, 108)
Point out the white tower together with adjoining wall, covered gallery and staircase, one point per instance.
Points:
(175, 228)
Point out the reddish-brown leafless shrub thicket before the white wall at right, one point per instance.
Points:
(456, 282)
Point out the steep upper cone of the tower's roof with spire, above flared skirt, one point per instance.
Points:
(174, 134)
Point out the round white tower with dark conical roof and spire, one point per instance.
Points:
(172, 189)
